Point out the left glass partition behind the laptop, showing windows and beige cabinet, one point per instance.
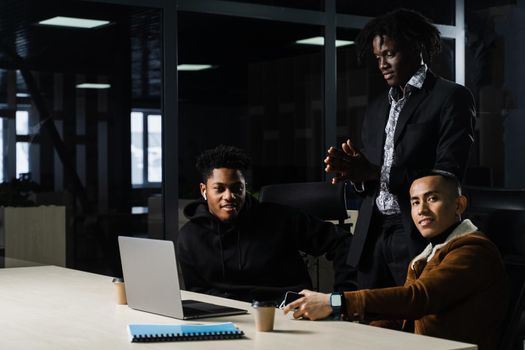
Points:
(67, 93)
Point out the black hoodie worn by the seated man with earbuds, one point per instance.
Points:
(257, 256)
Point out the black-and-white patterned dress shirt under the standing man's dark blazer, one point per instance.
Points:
(387, 202)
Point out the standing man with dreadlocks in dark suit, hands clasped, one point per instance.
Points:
(421, 122)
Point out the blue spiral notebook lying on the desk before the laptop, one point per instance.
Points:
(141, 333)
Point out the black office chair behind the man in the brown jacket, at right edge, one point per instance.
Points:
(507, 229)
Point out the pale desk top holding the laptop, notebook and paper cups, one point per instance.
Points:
(50, 307)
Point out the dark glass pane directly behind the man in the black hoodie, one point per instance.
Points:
(264, 96)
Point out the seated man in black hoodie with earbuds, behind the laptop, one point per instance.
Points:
(235, 247)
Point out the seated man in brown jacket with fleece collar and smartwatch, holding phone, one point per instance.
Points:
(455, 289)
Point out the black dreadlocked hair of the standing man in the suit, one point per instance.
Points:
(408, 28)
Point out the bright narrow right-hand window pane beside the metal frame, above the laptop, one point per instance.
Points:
(154, 148)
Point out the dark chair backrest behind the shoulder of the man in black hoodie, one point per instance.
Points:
(321, 199)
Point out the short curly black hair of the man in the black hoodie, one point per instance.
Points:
(222, 156)
